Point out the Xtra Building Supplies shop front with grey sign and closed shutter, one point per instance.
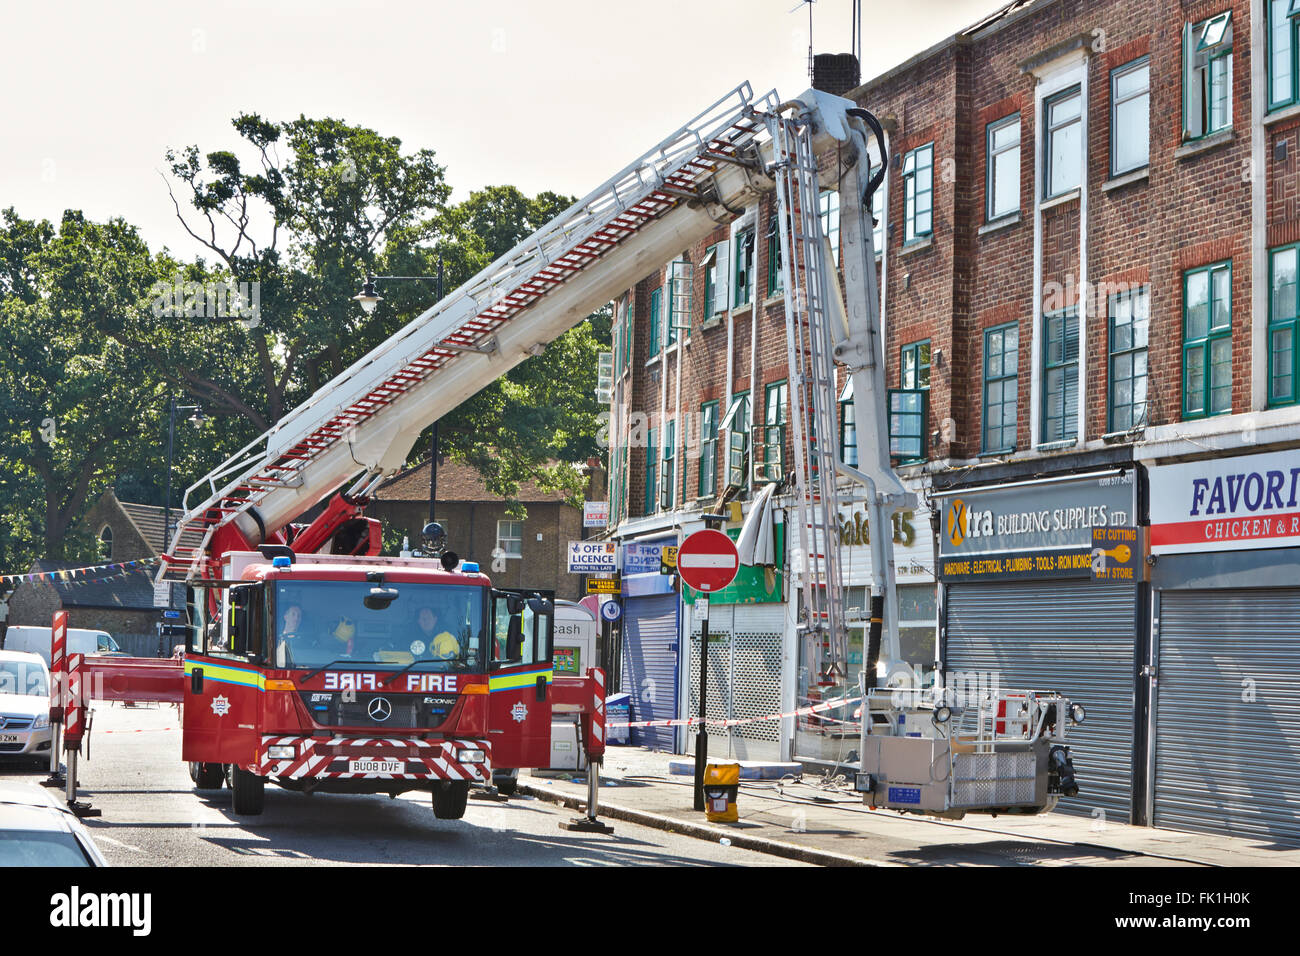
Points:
(1041, 591)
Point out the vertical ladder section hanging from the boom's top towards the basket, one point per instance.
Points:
(813, 397)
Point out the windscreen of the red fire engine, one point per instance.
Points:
(436, 628)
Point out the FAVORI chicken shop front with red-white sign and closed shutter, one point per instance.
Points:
(1224, 671)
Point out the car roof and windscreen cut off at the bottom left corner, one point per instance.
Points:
(37, 832)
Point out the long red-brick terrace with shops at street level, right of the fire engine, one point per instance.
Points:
(1087, 248)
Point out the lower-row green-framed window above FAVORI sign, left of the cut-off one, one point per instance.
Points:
(1208, 341)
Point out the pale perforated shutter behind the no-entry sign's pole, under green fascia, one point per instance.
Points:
(744, 680)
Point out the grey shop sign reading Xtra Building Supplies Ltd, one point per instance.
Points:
(1035, 518)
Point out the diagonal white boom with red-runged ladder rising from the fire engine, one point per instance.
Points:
(366, 421)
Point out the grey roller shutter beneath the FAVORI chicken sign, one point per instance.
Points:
(1228, 713)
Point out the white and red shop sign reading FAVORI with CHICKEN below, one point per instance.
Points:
(1227, 505)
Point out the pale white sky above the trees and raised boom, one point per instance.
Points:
(541, 94)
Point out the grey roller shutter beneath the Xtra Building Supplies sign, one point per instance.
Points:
(1074, 638)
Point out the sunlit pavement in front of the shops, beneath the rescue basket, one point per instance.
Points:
(817, 820)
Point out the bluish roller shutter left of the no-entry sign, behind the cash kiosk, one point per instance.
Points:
(651, 667)
